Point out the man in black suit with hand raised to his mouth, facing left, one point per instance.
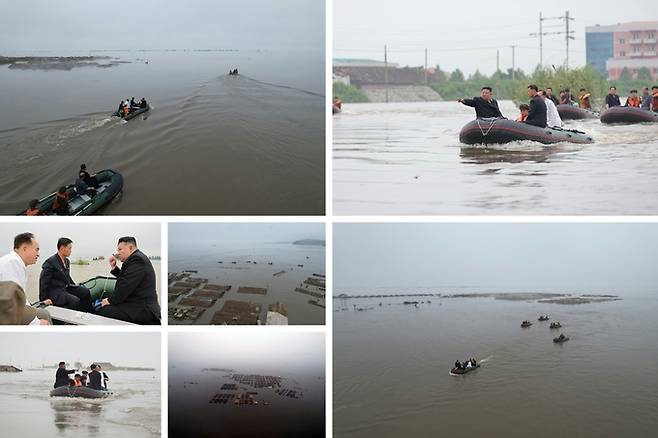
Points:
(135, 298)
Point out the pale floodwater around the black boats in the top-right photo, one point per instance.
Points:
(406, 159)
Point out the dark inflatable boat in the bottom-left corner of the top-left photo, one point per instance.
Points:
(110, 185)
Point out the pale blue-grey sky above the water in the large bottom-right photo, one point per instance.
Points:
(618, 256)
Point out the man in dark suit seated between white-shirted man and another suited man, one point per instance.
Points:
(56, 285)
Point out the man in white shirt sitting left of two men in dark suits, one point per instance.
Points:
(13, 267)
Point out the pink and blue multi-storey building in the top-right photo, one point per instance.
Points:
(631, 46)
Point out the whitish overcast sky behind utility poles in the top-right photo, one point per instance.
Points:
(447, 29)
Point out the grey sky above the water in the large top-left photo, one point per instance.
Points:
(153, 24)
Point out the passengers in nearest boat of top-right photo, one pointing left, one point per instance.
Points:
(541, 110)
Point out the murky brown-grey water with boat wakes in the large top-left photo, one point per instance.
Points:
(211, 144)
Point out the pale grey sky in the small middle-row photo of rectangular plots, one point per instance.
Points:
(188, 233)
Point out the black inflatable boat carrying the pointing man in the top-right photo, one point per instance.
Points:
(500, 131)
